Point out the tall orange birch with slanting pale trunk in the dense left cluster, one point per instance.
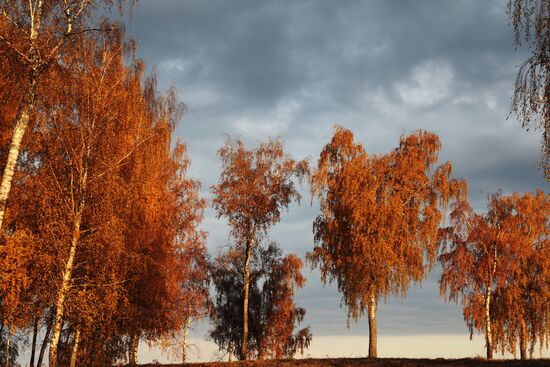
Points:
(94, 127)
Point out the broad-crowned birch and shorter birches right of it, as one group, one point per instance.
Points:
(379, 229)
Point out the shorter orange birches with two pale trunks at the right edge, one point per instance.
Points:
(494, 265)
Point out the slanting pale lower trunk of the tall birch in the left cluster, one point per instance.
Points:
(64, 290)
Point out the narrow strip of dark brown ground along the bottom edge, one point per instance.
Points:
(381, 362)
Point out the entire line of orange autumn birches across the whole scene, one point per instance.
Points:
(100, 237)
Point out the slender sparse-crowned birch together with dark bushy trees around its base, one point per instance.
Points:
(254, 186)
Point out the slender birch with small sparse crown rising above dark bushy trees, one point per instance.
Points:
(253, 188)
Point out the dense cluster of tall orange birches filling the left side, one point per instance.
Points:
(101, 245)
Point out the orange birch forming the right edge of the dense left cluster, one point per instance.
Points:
(168, 284)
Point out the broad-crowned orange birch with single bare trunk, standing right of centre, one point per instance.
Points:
(378, 227)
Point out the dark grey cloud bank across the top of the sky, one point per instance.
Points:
(256, 53)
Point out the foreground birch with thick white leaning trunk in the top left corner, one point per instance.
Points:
(32, 34)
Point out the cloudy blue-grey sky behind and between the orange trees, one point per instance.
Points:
(380, 68)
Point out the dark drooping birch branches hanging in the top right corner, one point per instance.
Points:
(531, 101)
